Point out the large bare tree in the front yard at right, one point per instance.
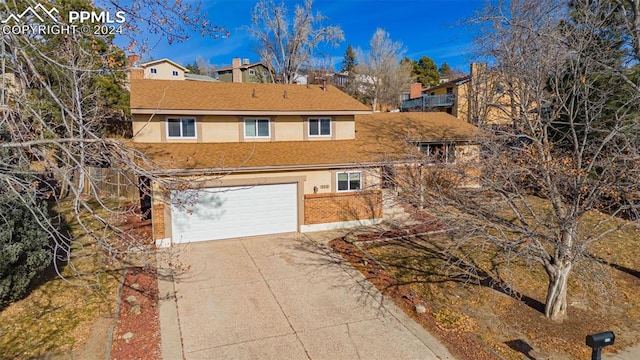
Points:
(573, 99)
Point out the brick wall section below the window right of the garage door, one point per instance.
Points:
(335, 207)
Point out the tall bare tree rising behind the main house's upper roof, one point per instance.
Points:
(288, 45)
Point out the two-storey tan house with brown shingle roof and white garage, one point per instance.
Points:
(243, 159)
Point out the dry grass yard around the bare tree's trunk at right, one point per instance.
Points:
(499, 298)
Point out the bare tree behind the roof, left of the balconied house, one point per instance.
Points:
(382, 77)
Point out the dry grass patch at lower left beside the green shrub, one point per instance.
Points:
(57, 316)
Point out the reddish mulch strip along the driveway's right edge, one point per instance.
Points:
(461, 344)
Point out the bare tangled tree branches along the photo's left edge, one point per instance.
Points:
(56, 116)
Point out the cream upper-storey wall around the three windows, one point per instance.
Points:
(229, 128)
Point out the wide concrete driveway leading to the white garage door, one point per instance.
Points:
(282, 297)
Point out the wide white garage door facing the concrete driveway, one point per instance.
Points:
(228, 212)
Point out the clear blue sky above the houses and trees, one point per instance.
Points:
(425, 27)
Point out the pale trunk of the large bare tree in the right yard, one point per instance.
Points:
(556, 303)
